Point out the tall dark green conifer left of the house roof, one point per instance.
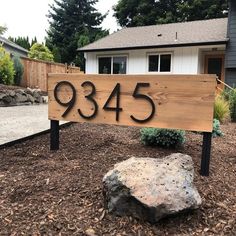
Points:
(70, 20)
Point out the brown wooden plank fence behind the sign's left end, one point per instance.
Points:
(35, 72)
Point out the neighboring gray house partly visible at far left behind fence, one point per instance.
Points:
(13, 48)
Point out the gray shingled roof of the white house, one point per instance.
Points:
(175, 35)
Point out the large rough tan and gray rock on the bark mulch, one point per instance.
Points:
(150, 189)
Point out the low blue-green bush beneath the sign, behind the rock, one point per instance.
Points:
(166, 138)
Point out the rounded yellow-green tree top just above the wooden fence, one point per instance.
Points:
(40, 52)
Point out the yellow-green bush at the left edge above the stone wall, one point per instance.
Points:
(6, 67)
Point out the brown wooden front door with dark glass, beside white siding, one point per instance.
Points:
(214, 64)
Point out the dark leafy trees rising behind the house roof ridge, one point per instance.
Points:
(150, 12)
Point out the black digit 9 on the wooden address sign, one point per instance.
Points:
(68, 104)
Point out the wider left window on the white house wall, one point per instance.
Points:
(112, 65)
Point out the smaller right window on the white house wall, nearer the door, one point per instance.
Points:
(159, 63)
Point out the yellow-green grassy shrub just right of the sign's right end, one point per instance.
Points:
(221, 109)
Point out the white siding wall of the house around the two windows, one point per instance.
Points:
(185, 60)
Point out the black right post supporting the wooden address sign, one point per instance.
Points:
(206, 154)
